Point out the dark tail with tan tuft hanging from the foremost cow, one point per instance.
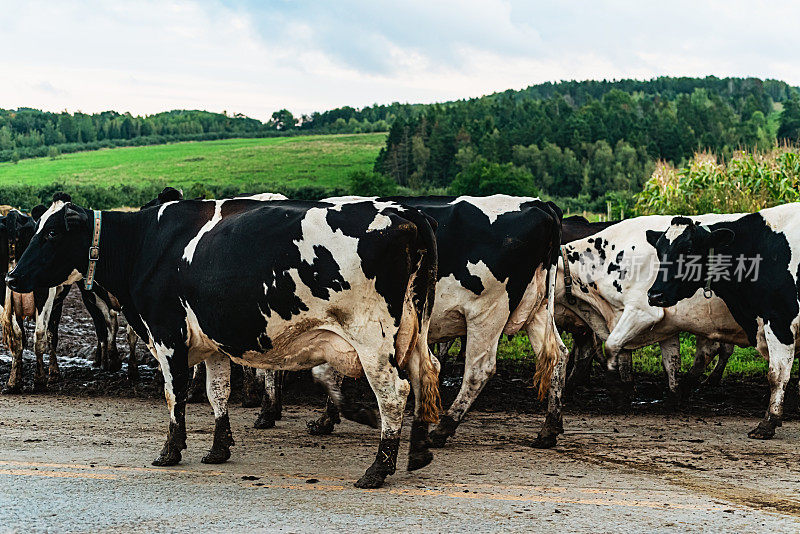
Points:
(424, 288)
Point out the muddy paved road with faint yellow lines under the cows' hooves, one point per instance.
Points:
(76, 465)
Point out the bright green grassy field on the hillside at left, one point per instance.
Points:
(320, 160)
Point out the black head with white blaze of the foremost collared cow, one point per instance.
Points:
(58, 250)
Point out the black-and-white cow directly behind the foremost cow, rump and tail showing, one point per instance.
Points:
(496, 265)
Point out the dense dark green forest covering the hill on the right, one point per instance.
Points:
(588, 138)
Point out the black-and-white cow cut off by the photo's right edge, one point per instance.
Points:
(765, 302)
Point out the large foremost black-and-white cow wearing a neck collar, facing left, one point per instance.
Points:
(285, 284)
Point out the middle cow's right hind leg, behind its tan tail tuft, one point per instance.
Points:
(544, 339)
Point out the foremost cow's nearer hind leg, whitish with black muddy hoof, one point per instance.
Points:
(391, 392)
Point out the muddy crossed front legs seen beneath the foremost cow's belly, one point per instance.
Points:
(337, 403)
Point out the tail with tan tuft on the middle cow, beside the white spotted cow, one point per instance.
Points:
(552, 347)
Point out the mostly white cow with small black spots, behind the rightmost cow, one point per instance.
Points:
(610, 273)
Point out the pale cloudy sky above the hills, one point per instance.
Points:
(255, 57)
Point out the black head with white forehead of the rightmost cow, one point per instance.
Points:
(683, 241)
